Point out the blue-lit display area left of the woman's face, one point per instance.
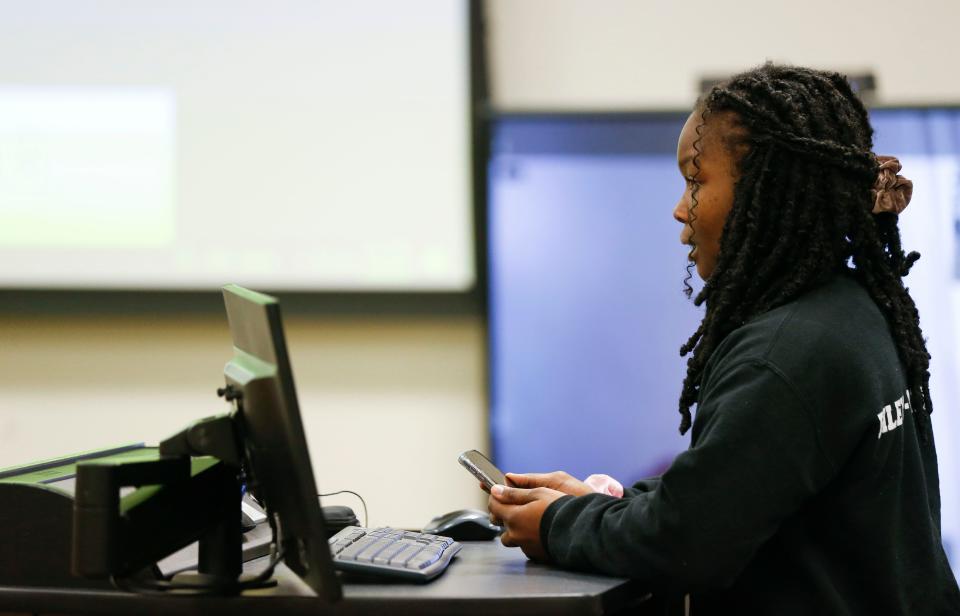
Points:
(586, 302)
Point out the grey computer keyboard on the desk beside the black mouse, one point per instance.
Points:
(392, 553)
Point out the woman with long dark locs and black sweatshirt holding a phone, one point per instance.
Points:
(810, 485)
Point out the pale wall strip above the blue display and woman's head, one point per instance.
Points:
(572, 54)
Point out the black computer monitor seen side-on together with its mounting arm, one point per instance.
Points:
(192, 491)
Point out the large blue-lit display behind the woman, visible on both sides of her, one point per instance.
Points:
(586, 309)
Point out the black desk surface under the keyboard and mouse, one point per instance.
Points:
(485, 578)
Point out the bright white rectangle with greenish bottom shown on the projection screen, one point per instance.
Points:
(86, 167)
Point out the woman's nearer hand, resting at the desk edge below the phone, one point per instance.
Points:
(520, 511)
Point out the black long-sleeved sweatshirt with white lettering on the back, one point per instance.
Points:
(806, 488)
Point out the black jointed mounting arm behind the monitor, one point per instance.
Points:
(191, 493)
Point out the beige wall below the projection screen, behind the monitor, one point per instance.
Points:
(411, 386)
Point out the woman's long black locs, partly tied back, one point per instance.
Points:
(786, 234)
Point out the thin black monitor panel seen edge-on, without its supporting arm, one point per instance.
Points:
(278, 467)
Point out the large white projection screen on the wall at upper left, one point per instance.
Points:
(295, 145)
